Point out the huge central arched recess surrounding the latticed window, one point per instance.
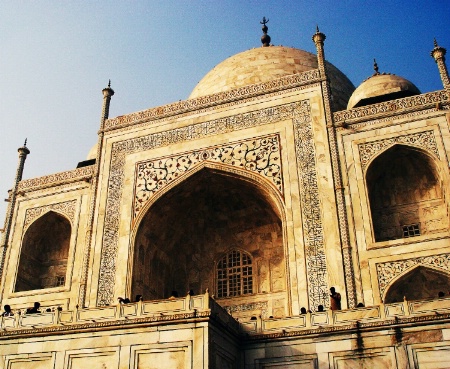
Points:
(184, 233)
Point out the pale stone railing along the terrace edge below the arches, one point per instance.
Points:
(202, 306)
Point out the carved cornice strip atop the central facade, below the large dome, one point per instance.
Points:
(202, 102)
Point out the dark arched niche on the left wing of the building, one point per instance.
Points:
(43, 258)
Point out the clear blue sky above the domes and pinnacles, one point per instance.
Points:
(57, 56)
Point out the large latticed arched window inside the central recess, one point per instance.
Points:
(234, 275)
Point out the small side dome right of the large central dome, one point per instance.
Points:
(381, 87)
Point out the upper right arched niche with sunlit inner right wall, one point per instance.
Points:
(405, 194)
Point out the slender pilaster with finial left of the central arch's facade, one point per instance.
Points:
(108, 92)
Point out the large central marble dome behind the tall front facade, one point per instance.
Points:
(267, 63)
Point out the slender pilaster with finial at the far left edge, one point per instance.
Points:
(23, 152)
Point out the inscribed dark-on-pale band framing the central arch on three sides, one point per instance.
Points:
(299, 112)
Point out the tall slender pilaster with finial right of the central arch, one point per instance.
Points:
(319, 39)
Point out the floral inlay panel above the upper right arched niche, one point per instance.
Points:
(425, 140)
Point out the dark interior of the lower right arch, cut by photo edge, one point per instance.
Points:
(420, 283)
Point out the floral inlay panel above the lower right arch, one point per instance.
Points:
(387, 272)
